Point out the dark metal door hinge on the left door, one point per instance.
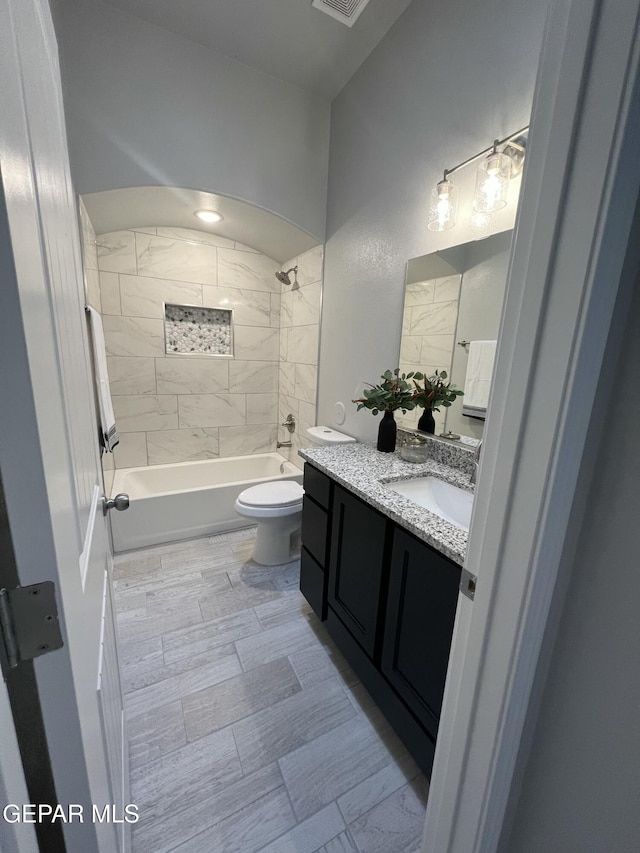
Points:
(29, 625)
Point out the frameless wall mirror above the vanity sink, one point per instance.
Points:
(452, 297)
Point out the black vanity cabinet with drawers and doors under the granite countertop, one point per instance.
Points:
(389, 601)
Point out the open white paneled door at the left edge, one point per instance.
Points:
(49, 456)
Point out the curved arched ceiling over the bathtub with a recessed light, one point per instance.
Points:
(139, 207)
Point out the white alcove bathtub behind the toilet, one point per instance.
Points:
(189, 499)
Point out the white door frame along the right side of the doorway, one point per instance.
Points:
(565, 283)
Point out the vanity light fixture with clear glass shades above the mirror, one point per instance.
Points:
(501, 162)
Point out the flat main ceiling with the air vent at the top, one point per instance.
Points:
(288, 39)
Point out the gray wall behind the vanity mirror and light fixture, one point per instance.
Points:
(446, 80)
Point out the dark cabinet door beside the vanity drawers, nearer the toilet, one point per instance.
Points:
(358, 538)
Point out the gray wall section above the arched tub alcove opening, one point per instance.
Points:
(145, 107)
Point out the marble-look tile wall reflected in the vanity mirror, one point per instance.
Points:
(428, 334)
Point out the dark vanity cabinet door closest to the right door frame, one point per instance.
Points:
(421, 608)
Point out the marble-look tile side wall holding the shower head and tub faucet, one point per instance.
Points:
(299, 335)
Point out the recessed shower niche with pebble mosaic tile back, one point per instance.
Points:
(192, 330)
